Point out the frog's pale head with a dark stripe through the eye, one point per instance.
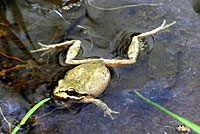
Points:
(67, 93)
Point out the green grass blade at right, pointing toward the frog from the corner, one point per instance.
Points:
(189, 124)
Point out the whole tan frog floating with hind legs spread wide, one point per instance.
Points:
(85, 82)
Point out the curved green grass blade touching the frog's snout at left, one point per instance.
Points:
(30, 112)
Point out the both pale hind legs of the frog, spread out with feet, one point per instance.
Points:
(133, 50)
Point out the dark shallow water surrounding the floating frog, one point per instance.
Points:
(169, 75)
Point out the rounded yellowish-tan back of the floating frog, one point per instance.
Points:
(91, 78)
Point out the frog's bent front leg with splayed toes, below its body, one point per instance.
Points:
(102, 105)
